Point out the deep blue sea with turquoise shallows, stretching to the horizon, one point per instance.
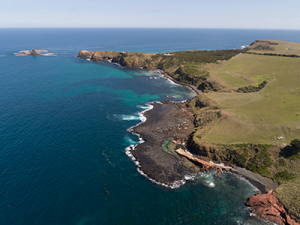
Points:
(63, 130)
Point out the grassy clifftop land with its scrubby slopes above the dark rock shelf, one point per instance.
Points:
(256, 118)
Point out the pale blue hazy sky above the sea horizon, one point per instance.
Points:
(254, 14)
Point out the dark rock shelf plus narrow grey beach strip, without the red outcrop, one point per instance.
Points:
(175, 121)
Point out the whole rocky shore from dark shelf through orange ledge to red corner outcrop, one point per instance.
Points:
(174, 121)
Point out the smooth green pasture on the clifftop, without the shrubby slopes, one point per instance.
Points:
(262, 116)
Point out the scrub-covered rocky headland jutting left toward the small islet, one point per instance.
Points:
(186, 67)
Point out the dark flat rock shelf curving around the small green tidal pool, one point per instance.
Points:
(164, 121)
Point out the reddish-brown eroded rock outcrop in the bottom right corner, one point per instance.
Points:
(268, 207)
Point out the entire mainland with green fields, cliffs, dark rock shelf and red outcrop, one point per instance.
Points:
(244, 119)
